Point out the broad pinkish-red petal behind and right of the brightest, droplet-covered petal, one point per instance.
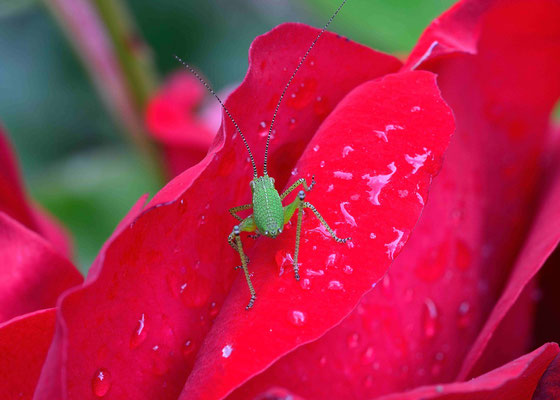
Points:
(417, 325)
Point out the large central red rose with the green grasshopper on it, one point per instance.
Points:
(161, 314)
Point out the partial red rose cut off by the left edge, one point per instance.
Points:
(34, 271)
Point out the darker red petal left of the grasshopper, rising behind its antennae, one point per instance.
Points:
(163, 278)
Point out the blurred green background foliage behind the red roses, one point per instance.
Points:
(74, 158)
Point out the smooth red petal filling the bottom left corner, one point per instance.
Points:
(24, 342)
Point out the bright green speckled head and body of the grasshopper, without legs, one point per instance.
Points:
(268, 212)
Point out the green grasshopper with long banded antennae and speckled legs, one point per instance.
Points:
(269, 215)
